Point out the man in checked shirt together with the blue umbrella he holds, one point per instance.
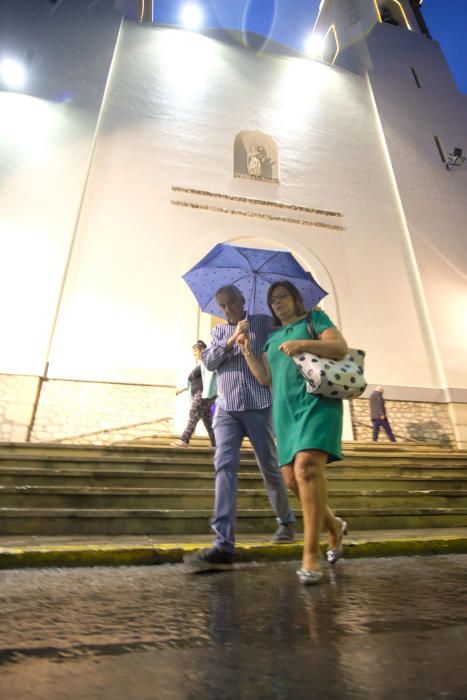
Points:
(228, 279)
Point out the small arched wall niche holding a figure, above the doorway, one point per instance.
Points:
(256, 157)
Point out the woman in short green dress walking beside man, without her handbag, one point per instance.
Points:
(308, 428)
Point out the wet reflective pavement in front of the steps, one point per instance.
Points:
(374, 629)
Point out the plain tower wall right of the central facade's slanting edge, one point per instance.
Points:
(434, 200)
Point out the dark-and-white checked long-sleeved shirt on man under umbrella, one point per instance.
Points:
(237, 388)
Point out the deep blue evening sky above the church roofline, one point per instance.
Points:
(290, 21)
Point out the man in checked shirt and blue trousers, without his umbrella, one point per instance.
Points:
(243, 409)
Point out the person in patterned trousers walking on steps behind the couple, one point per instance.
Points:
(202, 386)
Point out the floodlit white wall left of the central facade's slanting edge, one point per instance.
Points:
(46, 136)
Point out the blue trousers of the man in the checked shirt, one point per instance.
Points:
(230, 427)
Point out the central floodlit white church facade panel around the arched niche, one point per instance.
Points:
(175, 103)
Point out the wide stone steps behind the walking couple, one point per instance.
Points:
(156, 489)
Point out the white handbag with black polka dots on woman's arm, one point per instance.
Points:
(333, 379)
